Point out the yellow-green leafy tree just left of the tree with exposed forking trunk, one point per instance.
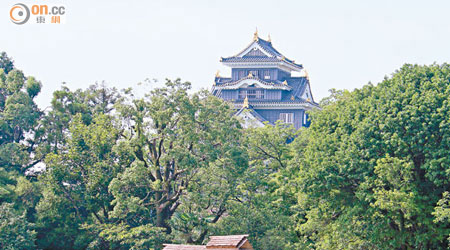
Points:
(76, 183)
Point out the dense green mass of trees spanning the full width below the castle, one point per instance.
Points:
(104, 169)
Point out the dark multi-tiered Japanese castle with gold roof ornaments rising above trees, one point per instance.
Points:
(262, 87)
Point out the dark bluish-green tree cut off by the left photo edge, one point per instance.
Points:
(19, 135)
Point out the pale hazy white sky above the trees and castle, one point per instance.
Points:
(342, 44)
